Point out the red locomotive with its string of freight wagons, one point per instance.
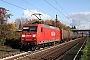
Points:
(34, 36)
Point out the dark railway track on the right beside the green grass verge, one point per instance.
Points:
(74, 52)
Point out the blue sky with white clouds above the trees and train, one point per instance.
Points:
(69, 12)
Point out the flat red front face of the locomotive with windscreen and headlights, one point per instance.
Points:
(29, 34)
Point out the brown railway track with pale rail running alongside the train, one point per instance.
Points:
(47, 53)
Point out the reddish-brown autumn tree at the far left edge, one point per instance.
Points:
(4, 28)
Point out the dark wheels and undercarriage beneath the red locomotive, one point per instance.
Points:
(32, 46)
